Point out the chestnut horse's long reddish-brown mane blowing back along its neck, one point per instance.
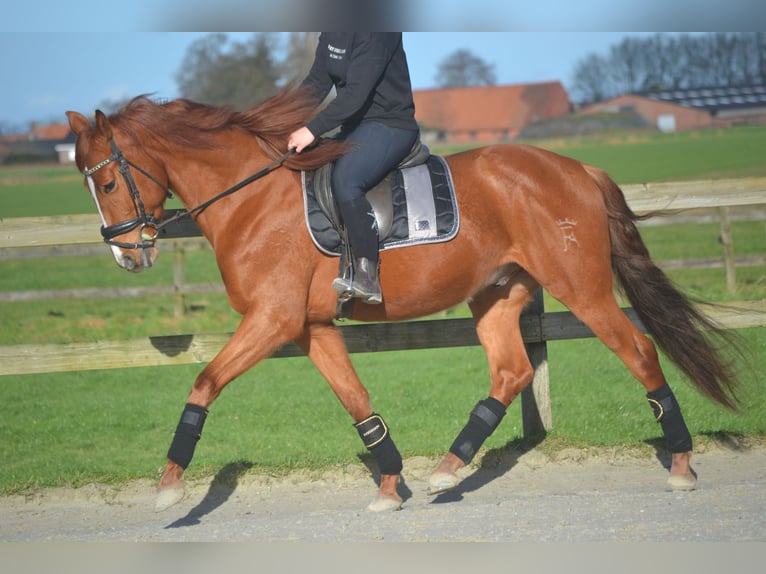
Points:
(188, 123)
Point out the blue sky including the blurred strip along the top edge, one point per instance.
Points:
(58, 56)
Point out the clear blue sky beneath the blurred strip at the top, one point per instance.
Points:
(57, 72)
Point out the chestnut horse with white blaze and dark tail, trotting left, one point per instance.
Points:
(529, 218)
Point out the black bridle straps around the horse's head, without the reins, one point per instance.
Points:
(149, 225)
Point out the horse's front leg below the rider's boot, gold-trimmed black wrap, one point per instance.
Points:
(324, 345)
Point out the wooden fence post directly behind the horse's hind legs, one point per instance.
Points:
(535, 399)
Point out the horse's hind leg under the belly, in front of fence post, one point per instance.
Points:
(497, 311)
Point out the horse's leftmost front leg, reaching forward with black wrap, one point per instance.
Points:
(257, 337)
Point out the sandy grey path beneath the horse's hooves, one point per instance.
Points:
(571, 495)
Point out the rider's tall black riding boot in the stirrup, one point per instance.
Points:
(362, 230)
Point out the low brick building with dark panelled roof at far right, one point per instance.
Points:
(691, 109)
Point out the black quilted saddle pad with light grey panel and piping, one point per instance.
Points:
(423, 200)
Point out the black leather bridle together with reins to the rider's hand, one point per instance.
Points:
(149, 225)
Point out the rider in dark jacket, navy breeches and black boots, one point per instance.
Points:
(374, 110)
